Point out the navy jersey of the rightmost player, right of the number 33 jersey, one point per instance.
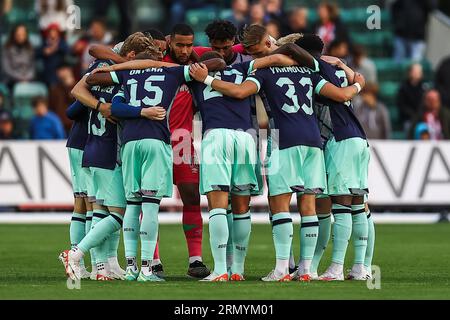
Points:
(344, 122)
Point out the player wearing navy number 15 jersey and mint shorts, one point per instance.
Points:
(146, 155)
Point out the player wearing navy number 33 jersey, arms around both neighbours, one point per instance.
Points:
(295, 163)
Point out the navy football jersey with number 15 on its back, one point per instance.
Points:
(148, 88)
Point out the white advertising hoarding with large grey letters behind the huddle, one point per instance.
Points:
(401, 173)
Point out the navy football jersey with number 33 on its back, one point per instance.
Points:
(289, 93)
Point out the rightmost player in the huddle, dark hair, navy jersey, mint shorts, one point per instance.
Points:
(347, 160)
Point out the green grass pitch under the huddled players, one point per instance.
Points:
(413, 261)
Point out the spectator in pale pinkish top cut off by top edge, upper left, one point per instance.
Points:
(53, 12)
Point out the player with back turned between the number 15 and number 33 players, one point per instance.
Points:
(228, 163)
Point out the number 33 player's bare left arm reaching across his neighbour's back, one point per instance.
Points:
(200, 73)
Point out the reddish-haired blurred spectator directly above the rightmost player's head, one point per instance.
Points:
(330, 27)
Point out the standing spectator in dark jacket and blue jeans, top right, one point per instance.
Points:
(410, 18)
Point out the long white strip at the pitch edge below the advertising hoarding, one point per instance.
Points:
(175, 218)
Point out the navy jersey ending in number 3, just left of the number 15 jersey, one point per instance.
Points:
(101, 146)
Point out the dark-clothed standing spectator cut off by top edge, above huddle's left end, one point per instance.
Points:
(125, 9)
